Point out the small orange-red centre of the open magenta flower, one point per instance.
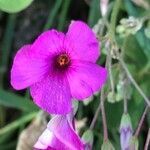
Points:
(63, 60)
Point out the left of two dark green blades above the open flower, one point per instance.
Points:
(52, 14)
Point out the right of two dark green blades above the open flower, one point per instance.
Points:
(63, 14)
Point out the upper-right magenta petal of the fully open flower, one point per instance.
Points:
(83, 42)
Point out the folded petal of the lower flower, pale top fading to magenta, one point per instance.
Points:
(65, 133)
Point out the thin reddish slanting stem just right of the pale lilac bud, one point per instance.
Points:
(141, 122)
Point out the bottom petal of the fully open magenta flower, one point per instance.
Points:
(52, 95)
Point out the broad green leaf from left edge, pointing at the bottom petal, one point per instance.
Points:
(12, 100)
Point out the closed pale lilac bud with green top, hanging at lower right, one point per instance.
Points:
(125, 131)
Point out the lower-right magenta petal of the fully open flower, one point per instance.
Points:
(85, 78)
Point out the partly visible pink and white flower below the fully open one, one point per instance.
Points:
(60, 135)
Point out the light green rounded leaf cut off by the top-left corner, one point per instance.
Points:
(13, 6)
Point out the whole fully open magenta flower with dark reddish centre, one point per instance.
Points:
(58, 67)
